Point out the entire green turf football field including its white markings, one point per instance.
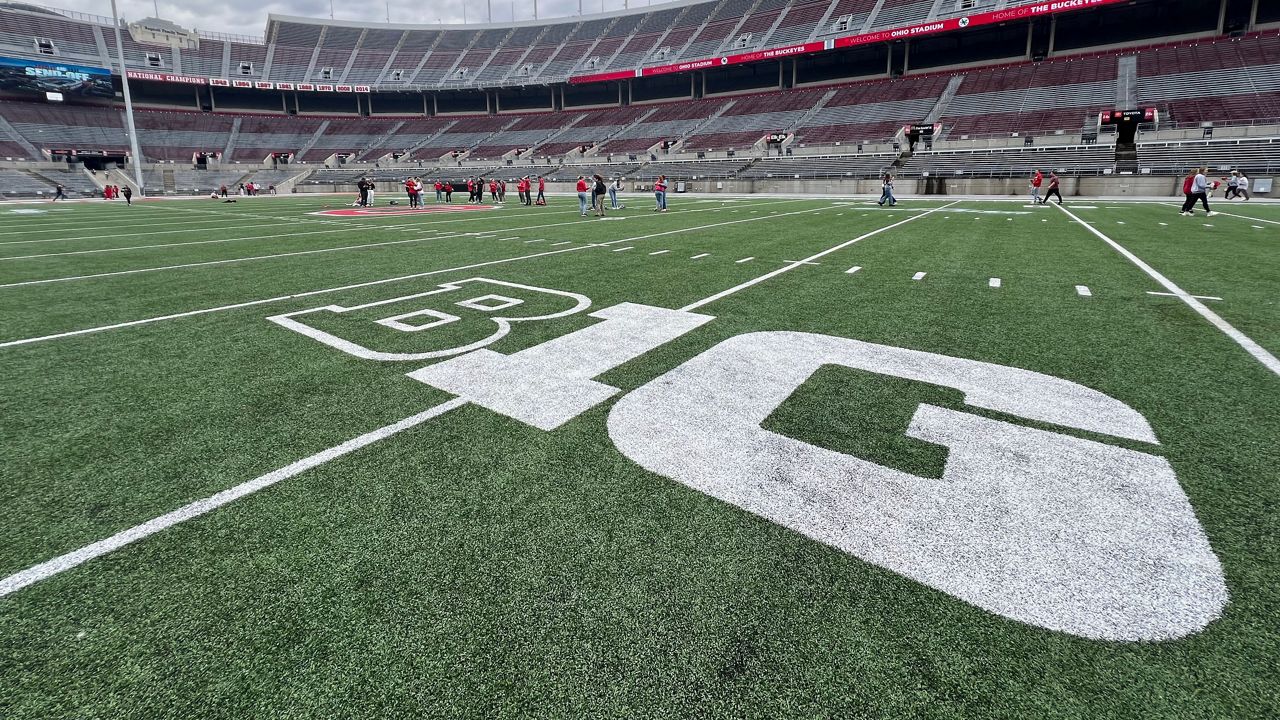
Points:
(752, 458)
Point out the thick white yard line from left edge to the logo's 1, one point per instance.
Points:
(70, 560)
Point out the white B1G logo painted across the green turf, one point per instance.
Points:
(1037, 526)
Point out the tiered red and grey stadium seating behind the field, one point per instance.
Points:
(1228, 81)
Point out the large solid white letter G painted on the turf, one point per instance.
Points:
(1041, 527)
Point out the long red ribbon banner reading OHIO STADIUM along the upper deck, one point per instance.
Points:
(918, 30)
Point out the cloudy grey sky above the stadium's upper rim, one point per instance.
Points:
(249, 17)
